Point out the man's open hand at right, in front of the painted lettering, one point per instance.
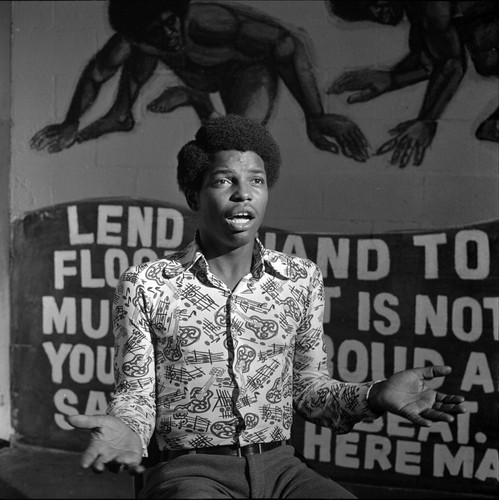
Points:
(407, 394)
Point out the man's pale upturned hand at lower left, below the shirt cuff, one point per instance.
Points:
(113, 445)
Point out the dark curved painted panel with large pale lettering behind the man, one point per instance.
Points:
(393, 301)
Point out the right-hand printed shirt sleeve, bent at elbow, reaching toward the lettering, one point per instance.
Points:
(316, 396)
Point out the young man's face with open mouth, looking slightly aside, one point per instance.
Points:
(232, 201)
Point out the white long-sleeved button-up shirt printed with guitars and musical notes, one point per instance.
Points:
(206, 366)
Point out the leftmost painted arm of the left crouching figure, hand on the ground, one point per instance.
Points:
(102, 67)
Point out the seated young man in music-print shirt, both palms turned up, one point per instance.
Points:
(216, 344)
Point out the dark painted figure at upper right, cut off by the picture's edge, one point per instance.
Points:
(442, 35)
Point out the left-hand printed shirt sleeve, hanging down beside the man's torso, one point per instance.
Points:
(134, 370)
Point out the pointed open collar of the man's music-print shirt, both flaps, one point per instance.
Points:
(264, 260)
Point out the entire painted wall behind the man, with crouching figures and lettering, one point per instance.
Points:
(395, 299)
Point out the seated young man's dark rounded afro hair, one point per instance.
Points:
(224, 133)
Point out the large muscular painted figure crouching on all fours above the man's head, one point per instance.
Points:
(226, 48)
